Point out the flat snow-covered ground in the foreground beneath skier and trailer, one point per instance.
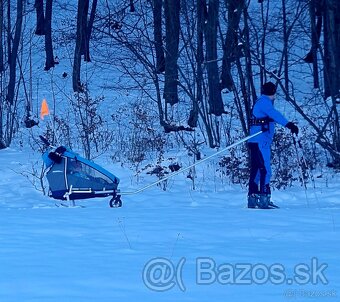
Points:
(174, 245)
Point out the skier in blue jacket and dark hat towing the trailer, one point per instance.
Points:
(264, 117)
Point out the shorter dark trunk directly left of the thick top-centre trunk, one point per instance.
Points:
(157, 27)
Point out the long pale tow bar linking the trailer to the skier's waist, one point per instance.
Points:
(193, 165)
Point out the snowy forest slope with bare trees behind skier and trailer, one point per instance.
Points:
(137, 79)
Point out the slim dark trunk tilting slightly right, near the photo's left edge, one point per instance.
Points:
(14, 53)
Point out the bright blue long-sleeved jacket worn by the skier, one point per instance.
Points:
(264, 108)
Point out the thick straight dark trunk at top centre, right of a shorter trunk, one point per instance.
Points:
(172, 26)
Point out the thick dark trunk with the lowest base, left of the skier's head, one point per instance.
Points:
(215, 98)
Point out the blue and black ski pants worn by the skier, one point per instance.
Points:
(260, 170)
